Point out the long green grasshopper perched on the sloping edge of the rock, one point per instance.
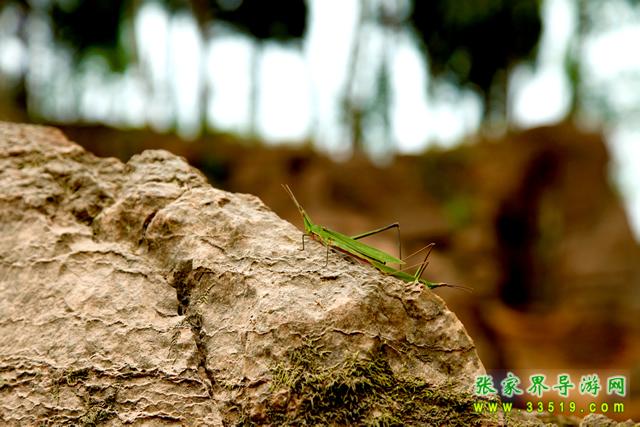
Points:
(351, 246)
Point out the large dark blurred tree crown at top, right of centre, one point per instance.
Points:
(477, 43)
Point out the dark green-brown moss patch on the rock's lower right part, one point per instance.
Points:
(361, 390)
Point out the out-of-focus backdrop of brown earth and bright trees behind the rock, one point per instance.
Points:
(506, 131)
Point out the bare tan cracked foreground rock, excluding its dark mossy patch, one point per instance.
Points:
(136, 293)
